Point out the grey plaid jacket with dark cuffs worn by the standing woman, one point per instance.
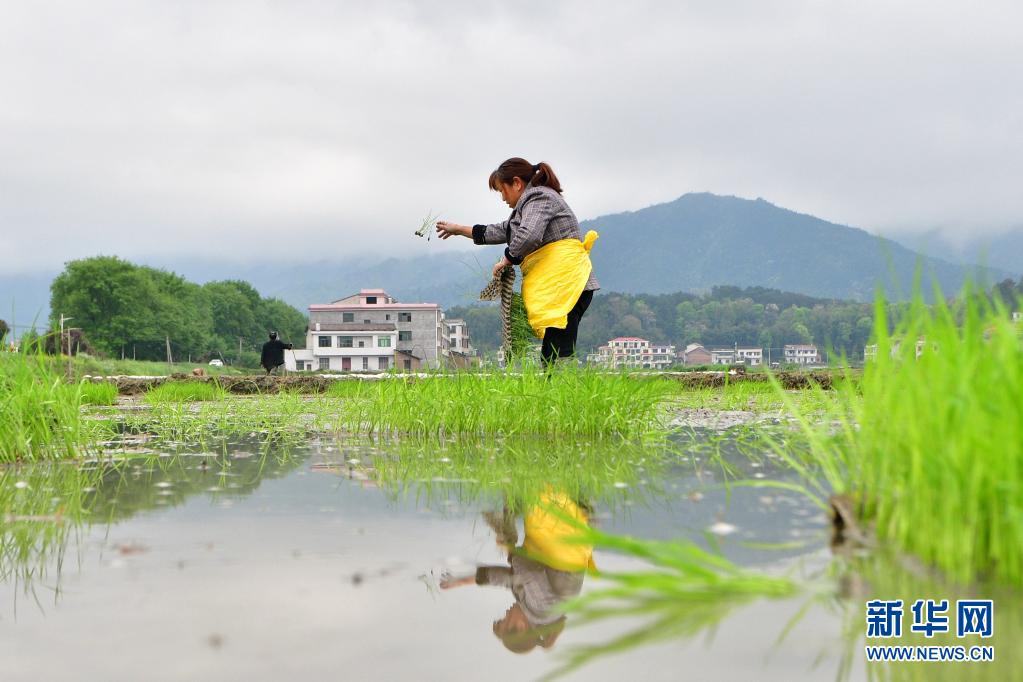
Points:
(541, 217)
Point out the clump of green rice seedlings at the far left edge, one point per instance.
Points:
(40, 417)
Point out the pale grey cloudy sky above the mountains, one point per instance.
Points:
(303, 130)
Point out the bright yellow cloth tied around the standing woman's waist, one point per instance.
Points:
(553, 280)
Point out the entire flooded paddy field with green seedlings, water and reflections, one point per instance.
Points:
(575, 526)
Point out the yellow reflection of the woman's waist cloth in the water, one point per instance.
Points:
(548, 534)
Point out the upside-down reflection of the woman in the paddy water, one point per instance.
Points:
(543, 573)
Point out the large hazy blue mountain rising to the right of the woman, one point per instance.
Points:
(701, 241)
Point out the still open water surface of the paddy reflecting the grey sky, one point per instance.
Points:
(244, 565)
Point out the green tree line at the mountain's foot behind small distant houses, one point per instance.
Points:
(727, 315)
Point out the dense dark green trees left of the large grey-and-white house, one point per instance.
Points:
(132, 310)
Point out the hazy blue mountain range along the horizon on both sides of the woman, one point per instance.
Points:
(690, 245)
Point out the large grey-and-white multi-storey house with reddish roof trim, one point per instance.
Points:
(373, 332)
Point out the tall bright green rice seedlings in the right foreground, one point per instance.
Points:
(929, 444)
